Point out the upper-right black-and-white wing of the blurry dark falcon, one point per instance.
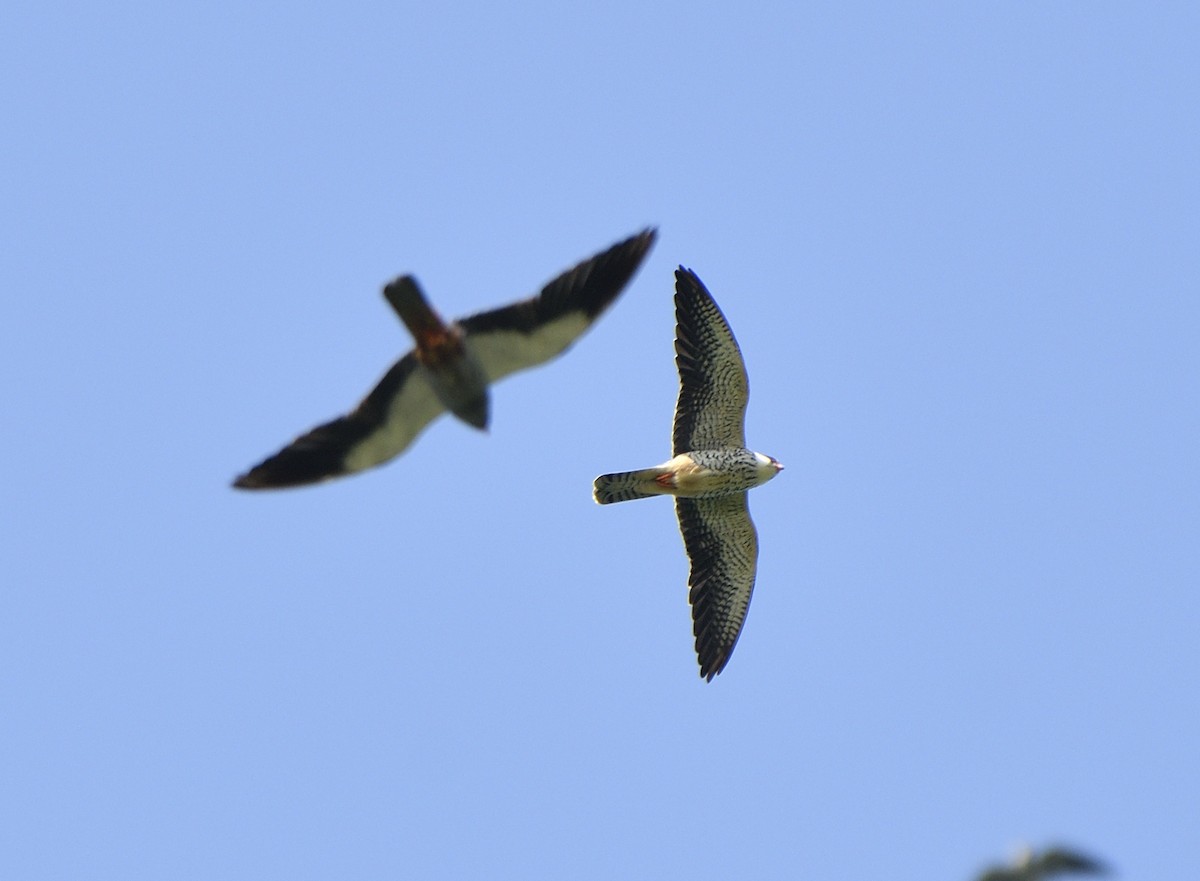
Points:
(532, 332)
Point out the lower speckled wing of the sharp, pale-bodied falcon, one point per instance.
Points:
(723, 549)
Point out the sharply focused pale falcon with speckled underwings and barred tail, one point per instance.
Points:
(710, 474)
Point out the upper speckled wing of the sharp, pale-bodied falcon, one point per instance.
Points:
(713, 386)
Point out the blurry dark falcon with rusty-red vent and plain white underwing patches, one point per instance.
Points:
(452, 368)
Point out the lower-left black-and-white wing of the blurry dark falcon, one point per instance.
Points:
(397, 411)
